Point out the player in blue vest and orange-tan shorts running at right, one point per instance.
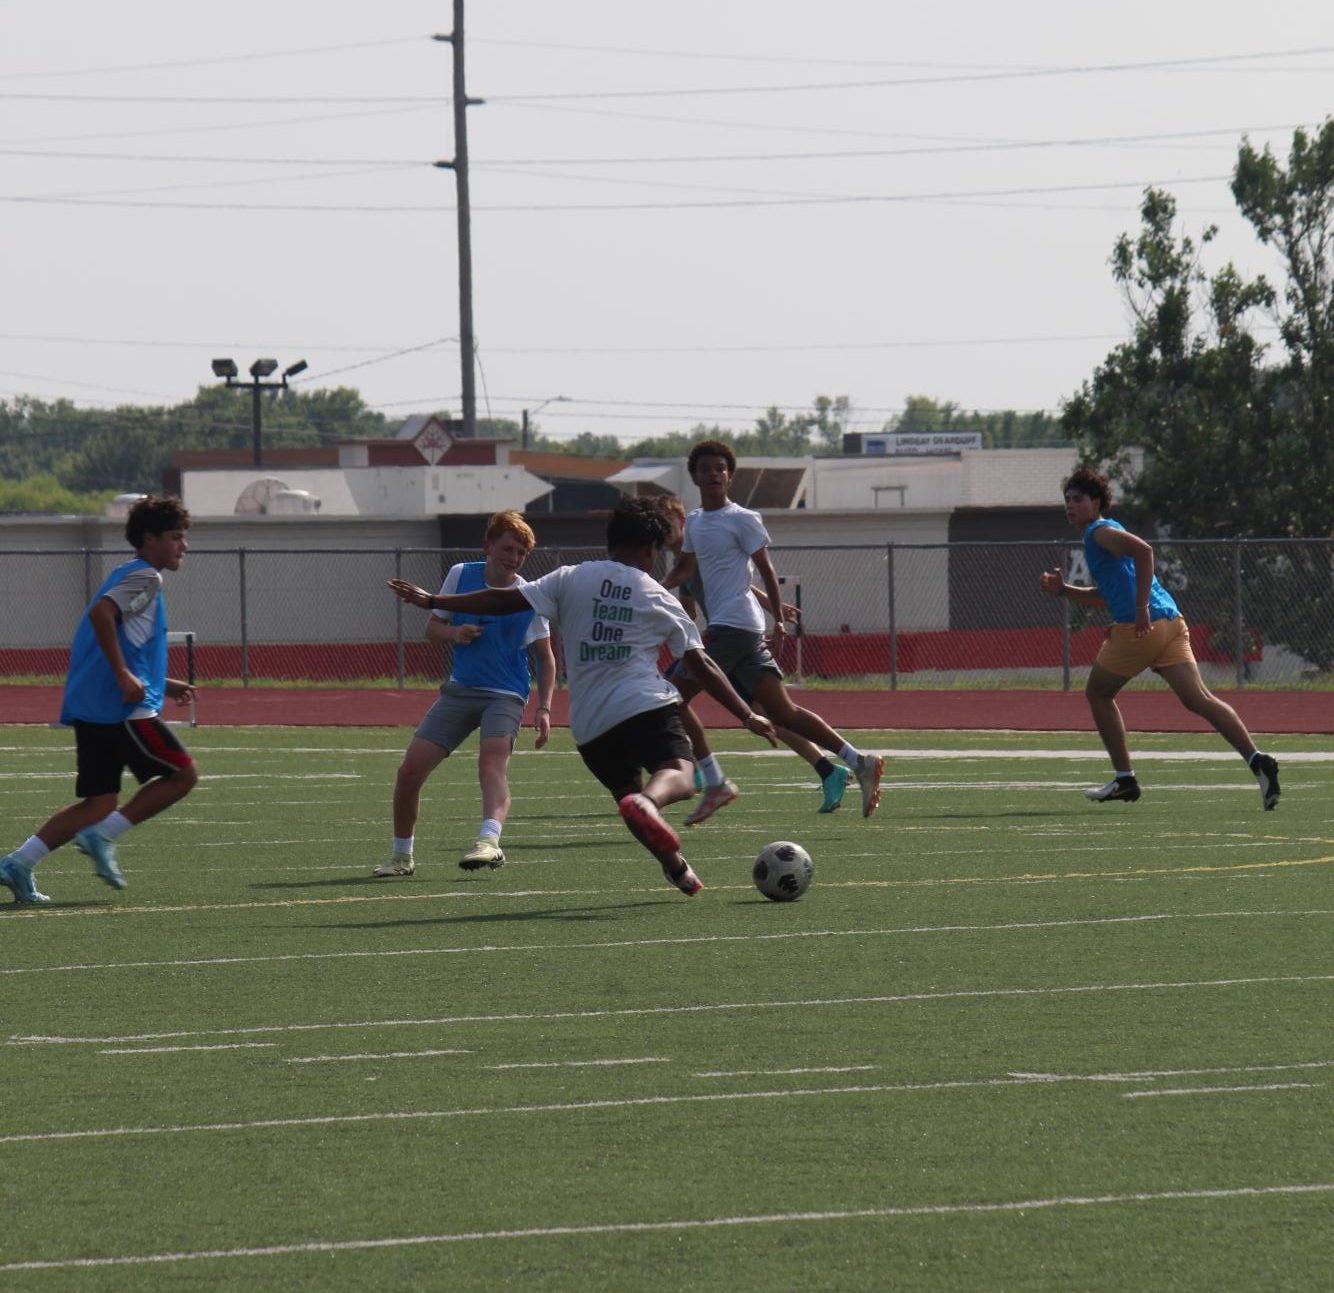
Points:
(1148, 632)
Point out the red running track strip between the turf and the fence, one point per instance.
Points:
(1269, 712)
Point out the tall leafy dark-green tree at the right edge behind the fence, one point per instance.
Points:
(1207, 438)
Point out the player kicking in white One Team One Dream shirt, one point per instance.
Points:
(614, 620)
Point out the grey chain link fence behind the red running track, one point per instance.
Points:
(966, 616)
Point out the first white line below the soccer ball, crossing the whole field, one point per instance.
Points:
(685, 940)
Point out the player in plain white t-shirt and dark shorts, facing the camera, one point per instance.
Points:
(722, 540)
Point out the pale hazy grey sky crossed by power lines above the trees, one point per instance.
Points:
(681, 214)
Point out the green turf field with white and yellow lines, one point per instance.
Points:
(1009, 1040)
